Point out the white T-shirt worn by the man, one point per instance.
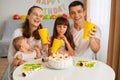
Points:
(82, 47)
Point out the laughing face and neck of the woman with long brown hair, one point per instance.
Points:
(35, 18)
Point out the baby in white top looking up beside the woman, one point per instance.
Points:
(24, 52)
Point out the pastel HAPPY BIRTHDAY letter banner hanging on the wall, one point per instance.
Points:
(54, 6)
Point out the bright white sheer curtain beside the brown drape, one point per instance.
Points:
(100, 14)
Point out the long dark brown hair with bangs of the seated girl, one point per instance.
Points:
(63, 21)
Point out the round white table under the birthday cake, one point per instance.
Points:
(101, 71)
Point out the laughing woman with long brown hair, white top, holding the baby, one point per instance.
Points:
(29, 30)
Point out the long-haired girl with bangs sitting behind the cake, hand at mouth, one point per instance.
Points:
(62, 31)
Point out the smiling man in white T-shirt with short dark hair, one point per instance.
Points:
(84, 48)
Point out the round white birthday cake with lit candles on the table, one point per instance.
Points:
(60, 61)
